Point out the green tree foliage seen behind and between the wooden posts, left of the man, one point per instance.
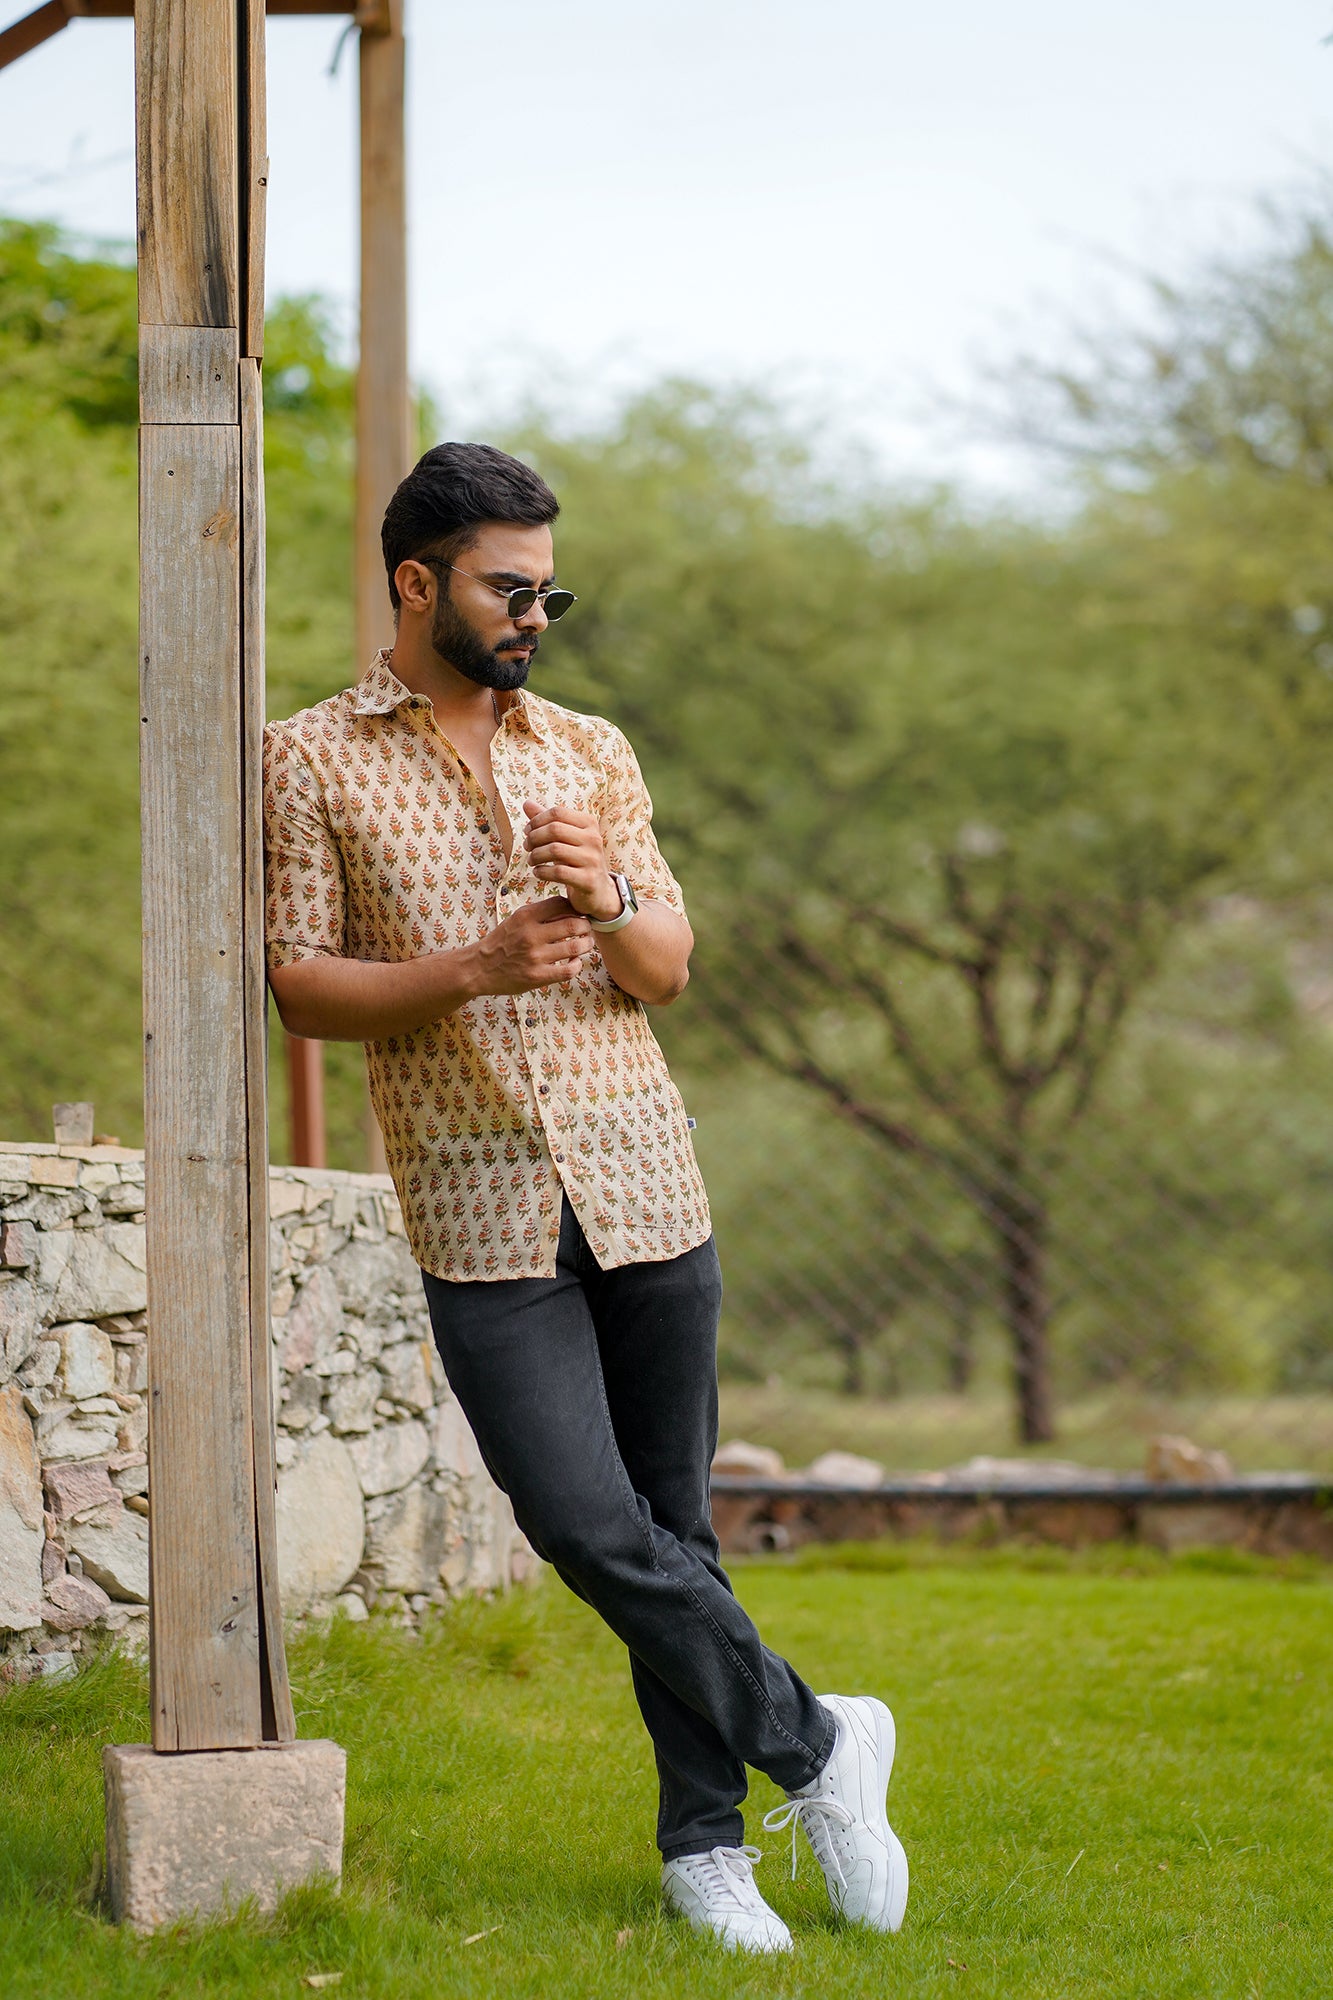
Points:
(69, 735)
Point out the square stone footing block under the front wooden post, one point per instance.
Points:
(197, 1833)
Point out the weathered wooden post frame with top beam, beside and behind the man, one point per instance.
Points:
(219, 1669)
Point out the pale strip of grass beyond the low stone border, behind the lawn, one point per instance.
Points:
(920, 1433)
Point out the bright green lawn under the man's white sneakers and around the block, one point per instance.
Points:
(1114, 1781)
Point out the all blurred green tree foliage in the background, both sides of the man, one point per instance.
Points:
(1004, 841)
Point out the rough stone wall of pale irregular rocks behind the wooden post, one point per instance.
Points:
(383, 1501)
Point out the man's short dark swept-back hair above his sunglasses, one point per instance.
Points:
(447, 497)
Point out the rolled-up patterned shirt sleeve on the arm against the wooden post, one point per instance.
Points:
(305, 887)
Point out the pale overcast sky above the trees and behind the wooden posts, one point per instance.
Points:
(846, 201)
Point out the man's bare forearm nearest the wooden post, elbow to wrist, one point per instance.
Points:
(363, 1001)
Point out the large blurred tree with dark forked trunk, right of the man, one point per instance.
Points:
(944, 789)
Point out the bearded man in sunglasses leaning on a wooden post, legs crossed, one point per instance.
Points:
(465, 879)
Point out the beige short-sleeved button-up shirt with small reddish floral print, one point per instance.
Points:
(381, 845)
